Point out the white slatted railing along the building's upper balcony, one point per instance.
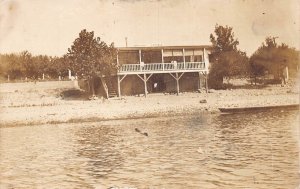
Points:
(160, 67)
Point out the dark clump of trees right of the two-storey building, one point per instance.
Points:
(227, 61)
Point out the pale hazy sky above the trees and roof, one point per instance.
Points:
(50, 26)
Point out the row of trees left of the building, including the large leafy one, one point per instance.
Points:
(87, 57)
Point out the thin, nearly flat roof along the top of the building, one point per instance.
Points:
(164, 47)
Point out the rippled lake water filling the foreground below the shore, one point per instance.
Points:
(256, 150)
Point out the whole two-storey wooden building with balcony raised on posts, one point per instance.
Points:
(166, 69)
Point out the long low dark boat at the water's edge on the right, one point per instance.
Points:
(259, 108)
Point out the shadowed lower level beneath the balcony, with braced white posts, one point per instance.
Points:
(168, 82)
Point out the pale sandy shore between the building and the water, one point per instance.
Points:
(40, 103)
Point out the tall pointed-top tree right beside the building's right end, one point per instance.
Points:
(227, 60)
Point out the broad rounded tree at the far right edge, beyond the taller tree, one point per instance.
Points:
(273, 58)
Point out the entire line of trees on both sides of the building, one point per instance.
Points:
(89, 56)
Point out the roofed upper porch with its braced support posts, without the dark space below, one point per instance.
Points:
(144, 62)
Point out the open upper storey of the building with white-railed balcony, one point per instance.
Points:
(163, 59)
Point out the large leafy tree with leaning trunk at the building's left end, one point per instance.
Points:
(89, 57)
